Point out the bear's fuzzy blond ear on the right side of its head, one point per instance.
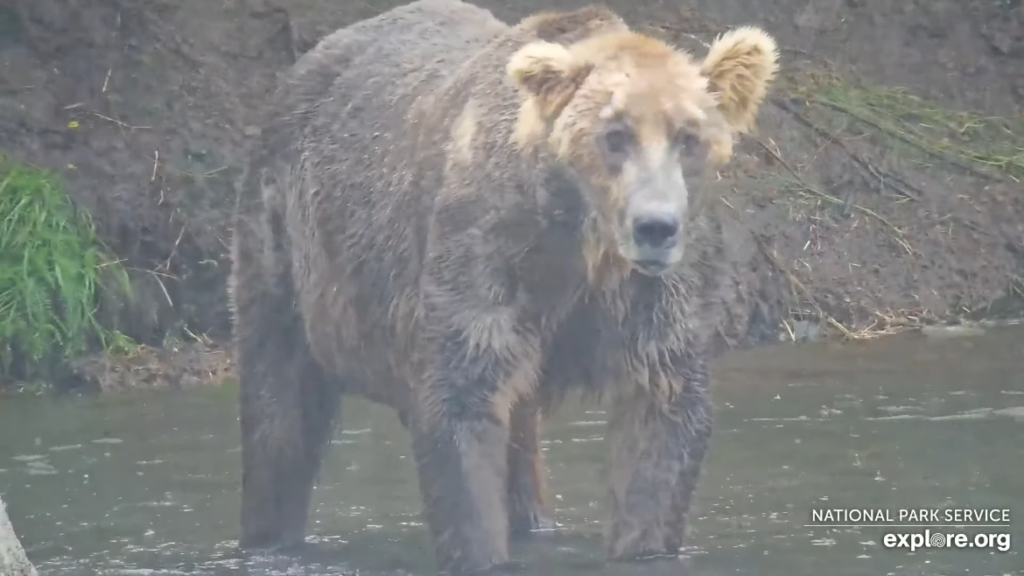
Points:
(740, 66)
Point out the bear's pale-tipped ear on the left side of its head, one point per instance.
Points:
(548, 74)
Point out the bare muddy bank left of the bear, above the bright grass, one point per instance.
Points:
(143, 107)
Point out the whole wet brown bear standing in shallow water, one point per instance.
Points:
(464, 221)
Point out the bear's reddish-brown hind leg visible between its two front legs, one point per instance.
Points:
(527, 484)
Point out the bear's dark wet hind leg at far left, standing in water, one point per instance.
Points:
(288, 404)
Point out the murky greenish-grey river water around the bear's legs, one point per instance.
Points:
(149, 484)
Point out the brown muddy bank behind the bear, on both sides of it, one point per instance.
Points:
(856, 226)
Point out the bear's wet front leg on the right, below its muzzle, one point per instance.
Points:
(660, 432)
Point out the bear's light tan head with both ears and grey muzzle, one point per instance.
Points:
(637, 121)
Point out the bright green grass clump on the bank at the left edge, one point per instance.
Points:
(52, 271)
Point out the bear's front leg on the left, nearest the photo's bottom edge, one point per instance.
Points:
(461, 435)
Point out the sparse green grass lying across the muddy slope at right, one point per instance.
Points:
(994, 145)
